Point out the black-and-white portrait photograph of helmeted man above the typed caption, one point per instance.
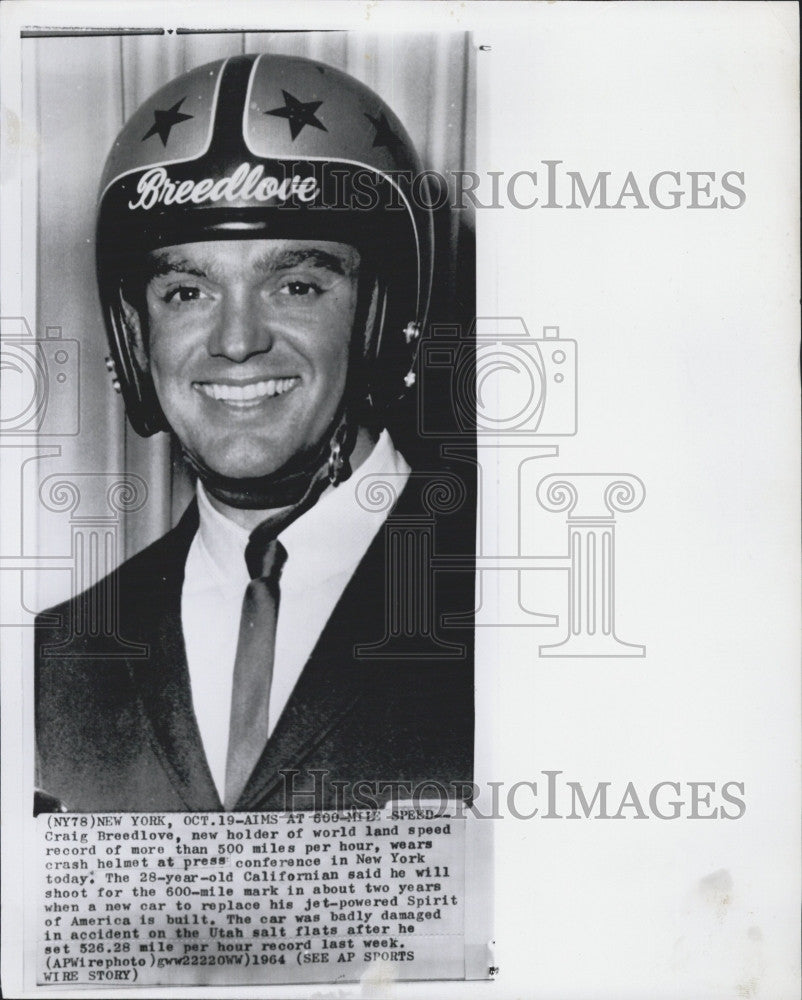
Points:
(265, 324)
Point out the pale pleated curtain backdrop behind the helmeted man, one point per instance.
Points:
(79, 91)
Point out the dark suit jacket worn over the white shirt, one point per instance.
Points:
(119, 733)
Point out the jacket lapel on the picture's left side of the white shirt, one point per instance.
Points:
(162, 679)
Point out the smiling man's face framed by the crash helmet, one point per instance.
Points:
(249, 346)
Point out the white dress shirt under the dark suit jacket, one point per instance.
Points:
(324, 547)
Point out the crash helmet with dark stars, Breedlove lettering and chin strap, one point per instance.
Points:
(269, 147)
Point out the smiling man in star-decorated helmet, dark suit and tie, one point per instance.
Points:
(264, 275)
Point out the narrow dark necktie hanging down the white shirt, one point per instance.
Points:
(253, 666)
